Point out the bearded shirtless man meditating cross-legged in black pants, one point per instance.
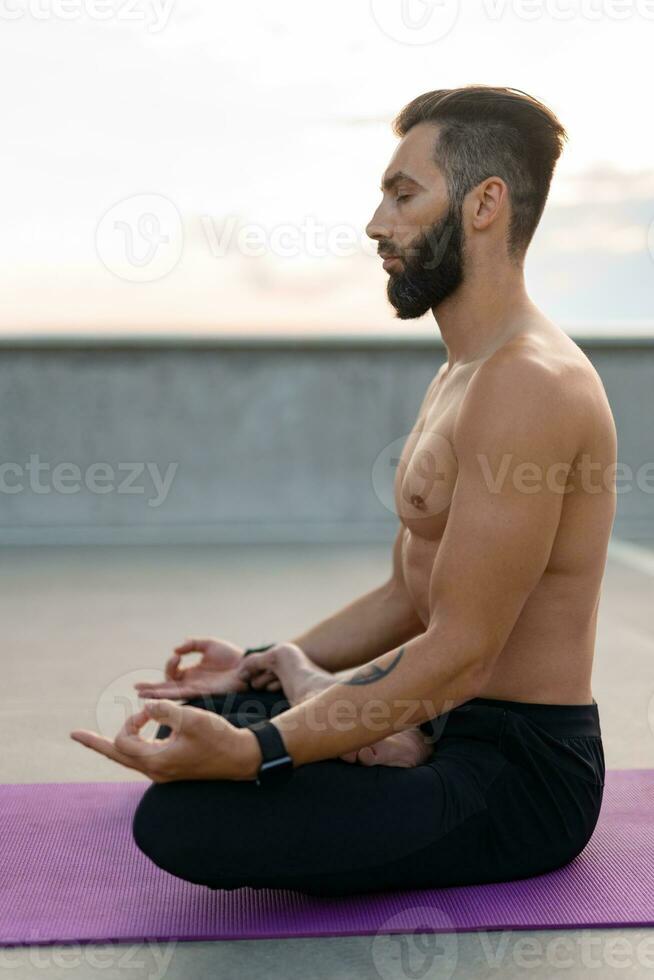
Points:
(483, 636)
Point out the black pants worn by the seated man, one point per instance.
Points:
(511, 790)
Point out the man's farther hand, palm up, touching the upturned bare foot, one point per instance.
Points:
(216, 673)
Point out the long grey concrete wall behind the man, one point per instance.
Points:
(270, 439)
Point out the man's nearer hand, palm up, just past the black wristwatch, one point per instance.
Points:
(201, 745)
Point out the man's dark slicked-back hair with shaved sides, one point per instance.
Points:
(486, 132)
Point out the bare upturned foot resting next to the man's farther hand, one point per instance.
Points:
(299, 677)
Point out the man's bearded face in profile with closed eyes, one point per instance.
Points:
(416, 224)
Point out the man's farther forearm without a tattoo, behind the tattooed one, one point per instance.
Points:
(376, 622)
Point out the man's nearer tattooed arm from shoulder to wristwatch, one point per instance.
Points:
(493, 553)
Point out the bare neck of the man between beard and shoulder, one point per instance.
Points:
(487, 309)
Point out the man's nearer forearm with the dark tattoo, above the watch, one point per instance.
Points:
(400, 689)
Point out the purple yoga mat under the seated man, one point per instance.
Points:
(70, 872)
